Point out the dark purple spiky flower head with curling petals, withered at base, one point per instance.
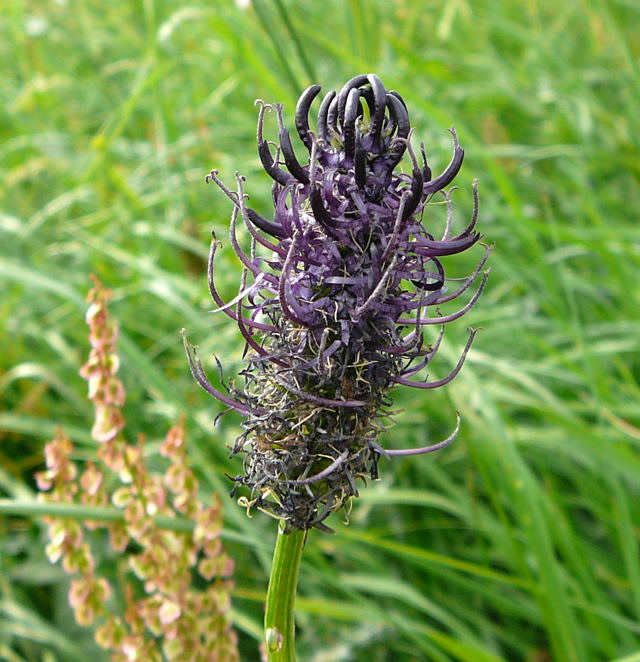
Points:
(332, 311)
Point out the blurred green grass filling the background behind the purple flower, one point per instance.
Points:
(519, 543)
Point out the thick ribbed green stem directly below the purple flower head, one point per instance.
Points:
(279, 624)
